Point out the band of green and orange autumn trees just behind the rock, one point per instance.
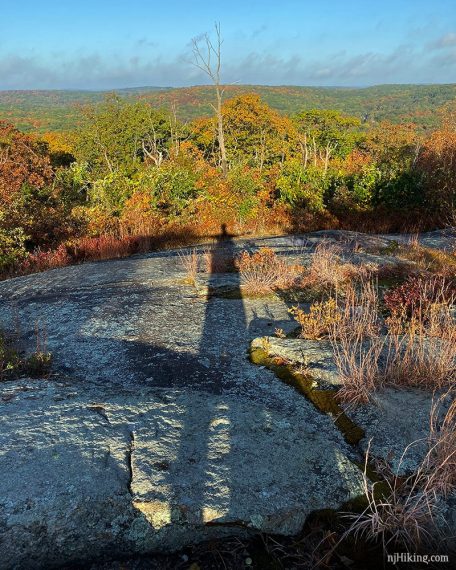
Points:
(134, 172)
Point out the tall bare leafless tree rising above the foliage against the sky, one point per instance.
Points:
(207, 57)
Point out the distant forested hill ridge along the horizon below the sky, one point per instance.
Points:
(58, 110)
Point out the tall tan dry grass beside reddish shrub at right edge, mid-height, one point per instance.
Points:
(418, 351)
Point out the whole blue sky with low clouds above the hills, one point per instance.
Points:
(111, 44)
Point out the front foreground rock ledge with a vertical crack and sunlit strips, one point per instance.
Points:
(86, 473)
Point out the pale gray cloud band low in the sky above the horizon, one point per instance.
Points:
(402, 65)
